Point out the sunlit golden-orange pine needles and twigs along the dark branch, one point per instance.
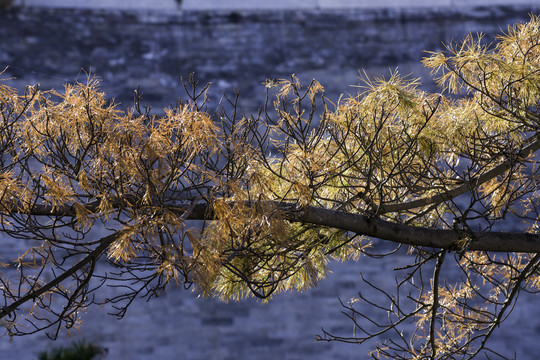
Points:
(234, 205)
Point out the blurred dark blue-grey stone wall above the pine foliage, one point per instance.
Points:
(230, 49)
